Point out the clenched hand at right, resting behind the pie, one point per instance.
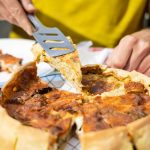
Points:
(132, 53)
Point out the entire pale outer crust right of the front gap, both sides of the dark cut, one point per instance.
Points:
(134, 135)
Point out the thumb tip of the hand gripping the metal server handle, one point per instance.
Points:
(28, 6)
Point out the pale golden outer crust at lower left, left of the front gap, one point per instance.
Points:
(14, 135)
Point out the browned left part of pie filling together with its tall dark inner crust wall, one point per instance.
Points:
(34, 103)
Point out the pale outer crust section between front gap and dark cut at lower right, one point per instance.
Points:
(109, 139)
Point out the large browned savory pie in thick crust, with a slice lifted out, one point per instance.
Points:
(113, 114)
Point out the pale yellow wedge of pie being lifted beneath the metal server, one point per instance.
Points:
(69, 65)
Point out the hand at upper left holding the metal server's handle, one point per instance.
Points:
(13, 12)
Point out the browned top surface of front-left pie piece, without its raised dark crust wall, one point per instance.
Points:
(47, 109)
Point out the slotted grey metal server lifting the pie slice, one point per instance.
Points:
(52, 40)
